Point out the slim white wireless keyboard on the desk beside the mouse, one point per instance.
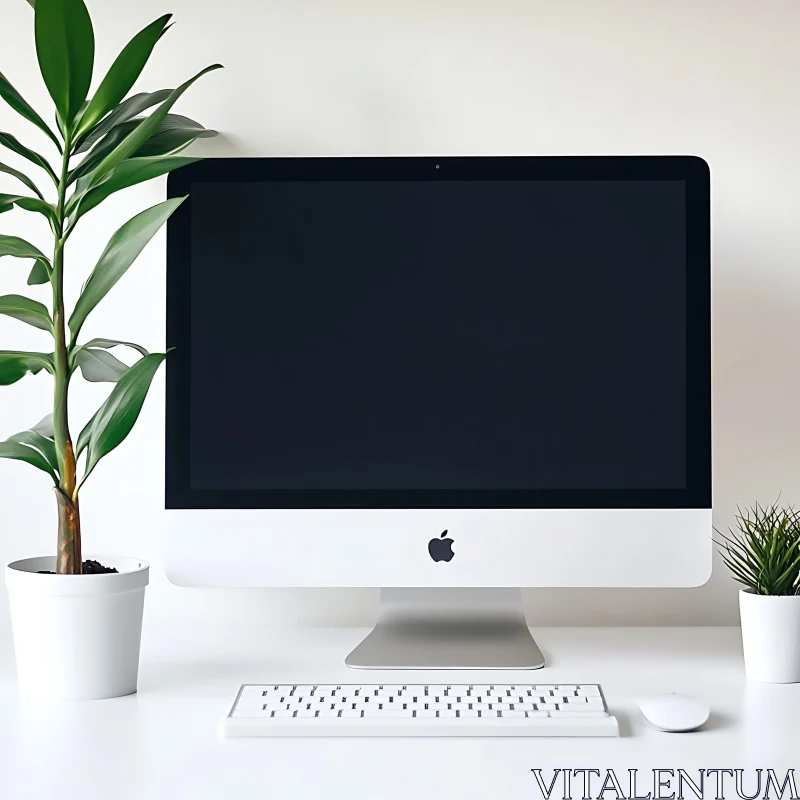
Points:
(419, 710)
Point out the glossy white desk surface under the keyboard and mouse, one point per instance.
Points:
(162, 742)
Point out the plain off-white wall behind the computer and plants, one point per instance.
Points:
(331, 77)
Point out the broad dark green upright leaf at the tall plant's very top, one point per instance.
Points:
(65, 49)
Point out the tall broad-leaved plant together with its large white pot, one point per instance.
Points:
(77, 624)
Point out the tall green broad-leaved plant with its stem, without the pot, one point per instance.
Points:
(105, 143)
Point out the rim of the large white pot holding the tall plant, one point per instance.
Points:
(23, 574)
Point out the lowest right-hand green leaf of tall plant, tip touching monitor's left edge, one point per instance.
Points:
(115, 419)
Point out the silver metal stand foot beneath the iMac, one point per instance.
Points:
(449, 629)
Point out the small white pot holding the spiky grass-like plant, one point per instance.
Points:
(771, 637)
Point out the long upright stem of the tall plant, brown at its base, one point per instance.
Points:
(68, 553)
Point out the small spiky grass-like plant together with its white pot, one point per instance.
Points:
(763, 554)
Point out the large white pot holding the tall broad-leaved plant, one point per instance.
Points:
(77, 637)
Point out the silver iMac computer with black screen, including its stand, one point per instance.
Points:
(446, 377)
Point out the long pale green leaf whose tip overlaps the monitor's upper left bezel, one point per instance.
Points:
(121, 251)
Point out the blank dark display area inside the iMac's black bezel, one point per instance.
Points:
(357, 336)
